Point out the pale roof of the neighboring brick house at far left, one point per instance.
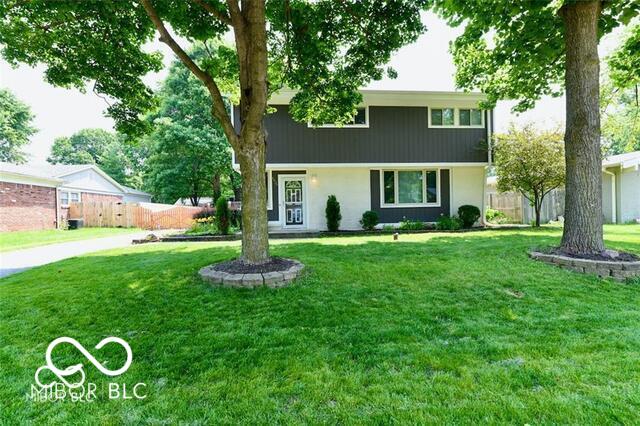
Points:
(55, 173)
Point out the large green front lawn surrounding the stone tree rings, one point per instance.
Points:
(438, 328)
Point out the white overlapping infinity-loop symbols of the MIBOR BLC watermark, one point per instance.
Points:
(69, 371)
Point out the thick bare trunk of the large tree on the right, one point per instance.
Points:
(583, 203)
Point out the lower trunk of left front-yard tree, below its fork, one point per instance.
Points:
(255, 236)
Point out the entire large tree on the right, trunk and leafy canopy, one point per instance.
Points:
(527, 49)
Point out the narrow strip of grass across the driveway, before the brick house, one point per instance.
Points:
(10, 241)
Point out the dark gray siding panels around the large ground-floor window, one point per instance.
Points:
(396, 214)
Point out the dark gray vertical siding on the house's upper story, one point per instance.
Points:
(394, 135)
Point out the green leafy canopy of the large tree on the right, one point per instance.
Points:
(515, 50)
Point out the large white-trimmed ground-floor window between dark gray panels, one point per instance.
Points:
(410, 188)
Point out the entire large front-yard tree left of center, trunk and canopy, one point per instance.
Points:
(325, 48)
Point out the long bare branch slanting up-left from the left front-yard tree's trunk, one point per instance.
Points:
(219, 109)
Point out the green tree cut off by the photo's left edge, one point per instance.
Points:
(16, 127)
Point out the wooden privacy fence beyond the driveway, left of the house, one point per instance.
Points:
(133, 215)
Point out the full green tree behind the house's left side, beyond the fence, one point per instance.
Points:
(190, 153)
